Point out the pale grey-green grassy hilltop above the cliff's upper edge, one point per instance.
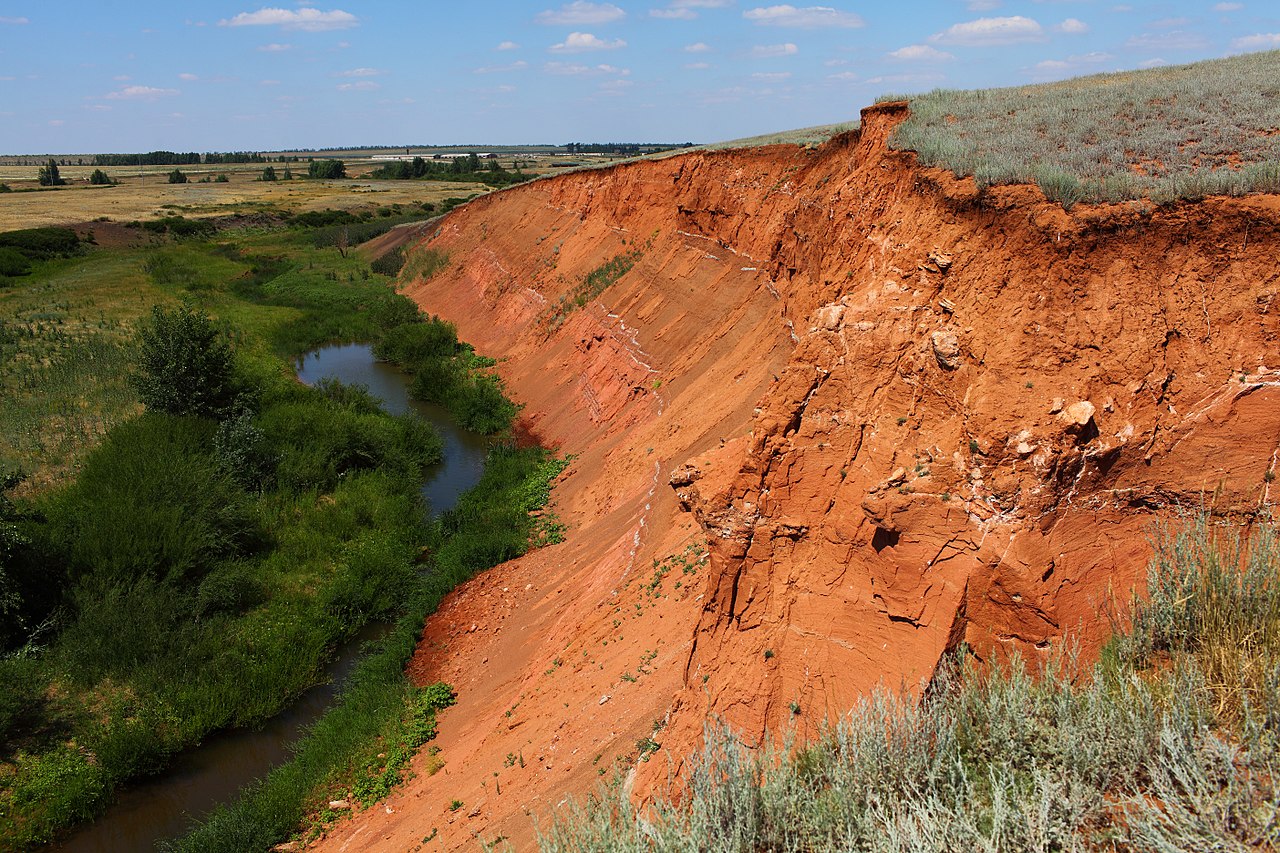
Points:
(1165, 134)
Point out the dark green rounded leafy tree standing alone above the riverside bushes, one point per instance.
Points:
(185, 366)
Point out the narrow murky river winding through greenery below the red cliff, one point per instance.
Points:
(213, 773)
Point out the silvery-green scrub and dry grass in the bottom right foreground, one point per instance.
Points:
(1168, 745)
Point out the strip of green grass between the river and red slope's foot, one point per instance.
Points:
(381, 711)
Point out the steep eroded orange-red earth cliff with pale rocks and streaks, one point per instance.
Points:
(903, 414)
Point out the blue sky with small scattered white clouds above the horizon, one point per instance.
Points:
(86, 77)
